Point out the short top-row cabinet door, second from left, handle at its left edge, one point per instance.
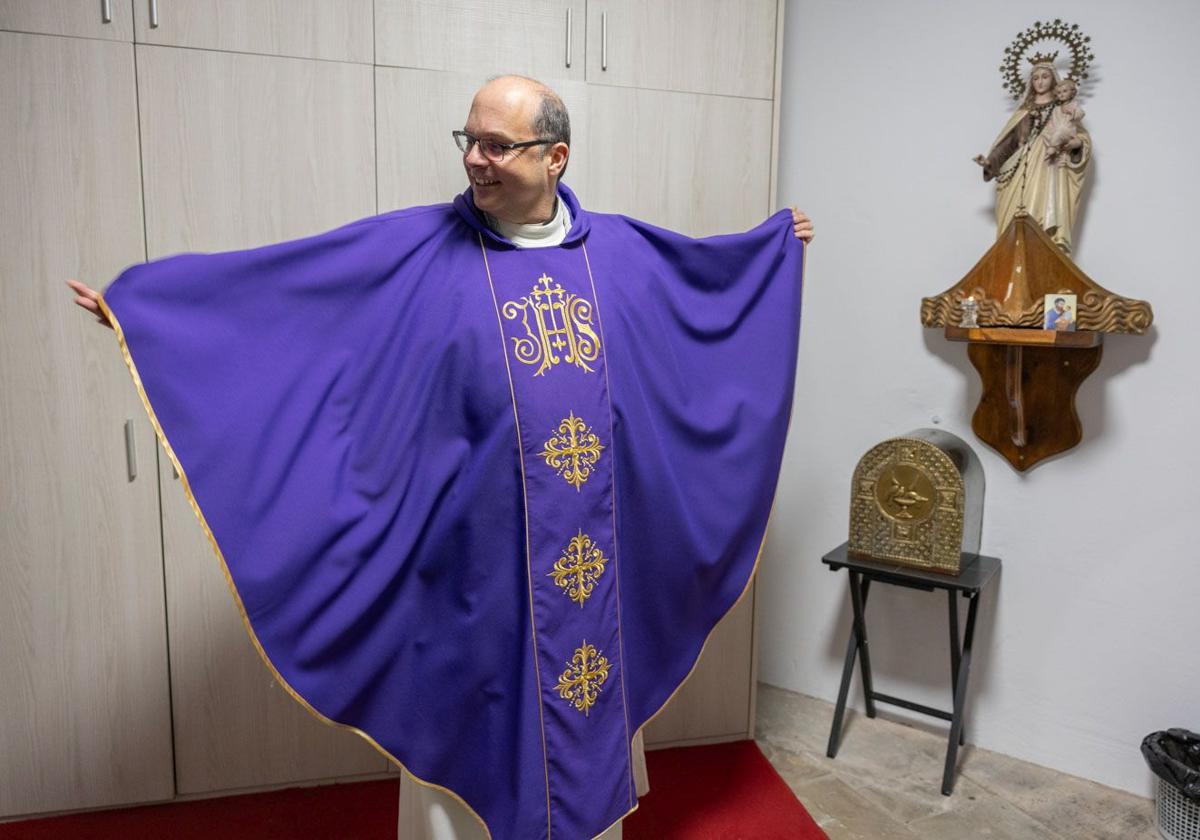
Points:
(339, 31)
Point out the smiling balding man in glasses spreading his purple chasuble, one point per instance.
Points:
(433, 447)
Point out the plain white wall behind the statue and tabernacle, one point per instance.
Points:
(1093, 638)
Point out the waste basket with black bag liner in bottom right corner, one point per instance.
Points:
(1174, 755)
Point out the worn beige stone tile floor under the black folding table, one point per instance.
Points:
(886, 784)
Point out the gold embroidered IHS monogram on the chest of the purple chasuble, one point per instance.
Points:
(561, 322)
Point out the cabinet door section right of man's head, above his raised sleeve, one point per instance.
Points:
(698, 165)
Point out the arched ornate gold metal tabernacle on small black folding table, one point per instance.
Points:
(917, 500)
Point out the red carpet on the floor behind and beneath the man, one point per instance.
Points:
(721, 793)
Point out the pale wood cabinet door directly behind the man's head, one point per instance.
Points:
(417, 110)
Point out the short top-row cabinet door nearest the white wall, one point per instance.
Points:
(701, 46)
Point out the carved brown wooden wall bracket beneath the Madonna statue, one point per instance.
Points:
(1030, 376)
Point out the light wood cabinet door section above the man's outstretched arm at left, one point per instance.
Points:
(245, 151)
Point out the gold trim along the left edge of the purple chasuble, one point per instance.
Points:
(187, 485)
